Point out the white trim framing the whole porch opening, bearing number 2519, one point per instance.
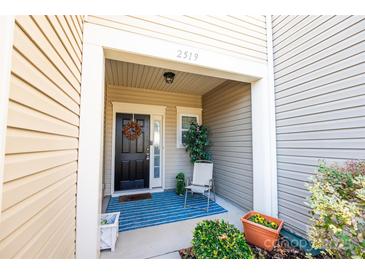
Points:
(102, 42)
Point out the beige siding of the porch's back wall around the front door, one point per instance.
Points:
(176, 158)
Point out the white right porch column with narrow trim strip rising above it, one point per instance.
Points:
(264, 137)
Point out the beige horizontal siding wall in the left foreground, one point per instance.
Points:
(39, 193)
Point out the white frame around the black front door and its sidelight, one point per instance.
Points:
(119, 107)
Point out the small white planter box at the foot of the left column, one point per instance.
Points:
(109, 230)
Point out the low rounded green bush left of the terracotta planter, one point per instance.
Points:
(219, 240)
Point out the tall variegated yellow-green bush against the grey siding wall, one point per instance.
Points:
(338, 209)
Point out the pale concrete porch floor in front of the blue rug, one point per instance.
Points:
(164, 241)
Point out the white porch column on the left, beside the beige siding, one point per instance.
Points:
(90, 153)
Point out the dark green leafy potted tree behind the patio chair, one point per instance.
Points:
(196, 142)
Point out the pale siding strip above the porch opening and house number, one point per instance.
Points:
(241, 36)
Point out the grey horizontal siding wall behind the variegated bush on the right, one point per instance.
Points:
(319, 67)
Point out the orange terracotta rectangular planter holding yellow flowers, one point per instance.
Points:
(259, 235)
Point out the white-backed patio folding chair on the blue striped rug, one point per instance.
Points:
(202, 182)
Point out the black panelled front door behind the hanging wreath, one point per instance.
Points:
(132, 164)
